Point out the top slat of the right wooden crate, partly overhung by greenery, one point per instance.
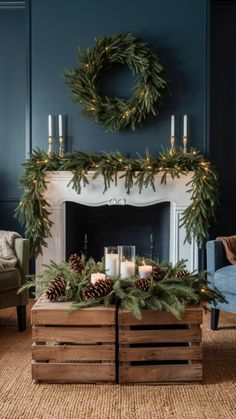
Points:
(192, 315)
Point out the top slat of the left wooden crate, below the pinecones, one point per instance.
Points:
(45, 311)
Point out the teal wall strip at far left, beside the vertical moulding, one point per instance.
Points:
(12, 108)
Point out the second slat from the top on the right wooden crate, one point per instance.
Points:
(158, 336)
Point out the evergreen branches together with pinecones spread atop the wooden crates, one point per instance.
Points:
(169, 288)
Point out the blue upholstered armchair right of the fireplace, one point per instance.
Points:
(221, 275)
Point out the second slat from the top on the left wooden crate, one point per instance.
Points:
(73, 334)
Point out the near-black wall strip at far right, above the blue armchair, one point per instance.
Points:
(223, 110)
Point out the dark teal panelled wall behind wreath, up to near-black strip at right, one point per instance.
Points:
(177, 29)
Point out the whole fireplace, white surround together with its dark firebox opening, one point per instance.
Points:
(172, 197)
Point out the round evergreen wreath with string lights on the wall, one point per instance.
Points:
(117, 113)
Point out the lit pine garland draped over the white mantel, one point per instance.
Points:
(34, 211)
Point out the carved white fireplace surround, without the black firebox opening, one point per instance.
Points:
(174, 191)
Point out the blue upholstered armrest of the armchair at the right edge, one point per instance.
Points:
(216, 257)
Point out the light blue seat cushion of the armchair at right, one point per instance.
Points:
(225, 279)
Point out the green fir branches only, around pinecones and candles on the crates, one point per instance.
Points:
(172, 293)
